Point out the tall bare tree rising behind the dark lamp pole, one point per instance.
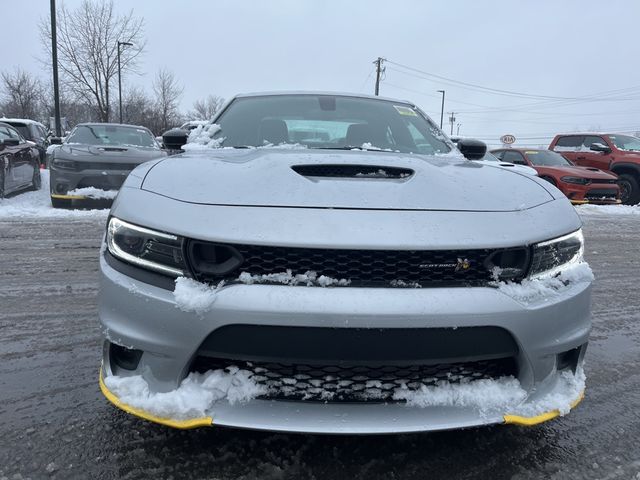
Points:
(88, 49)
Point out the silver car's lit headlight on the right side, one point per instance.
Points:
(549, 257)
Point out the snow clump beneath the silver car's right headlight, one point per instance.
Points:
(539, 289)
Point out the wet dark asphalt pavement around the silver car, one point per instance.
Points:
(55, 423)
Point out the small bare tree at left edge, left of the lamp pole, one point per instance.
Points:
(22, 95)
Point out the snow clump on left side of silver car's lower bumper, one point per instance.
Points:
(193, 398)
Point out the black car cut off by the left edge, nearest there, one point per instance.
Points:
(19, 162)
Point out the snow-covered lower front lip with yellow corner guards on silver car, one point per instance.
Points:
(201, 402)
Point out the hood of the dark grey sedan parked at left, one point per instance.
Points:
(107, 153)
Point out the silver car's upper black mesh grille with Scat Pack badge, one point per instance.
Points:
(213, 263)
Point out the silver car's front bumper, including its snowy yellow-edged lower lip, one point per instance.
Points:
(138, 315)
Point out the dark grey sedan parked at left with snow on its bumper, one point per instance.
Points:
(95, 158)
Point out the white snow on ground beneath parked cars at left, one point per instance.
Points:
(37, 205)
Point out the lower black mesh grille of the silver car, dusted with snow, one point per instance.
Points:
(340, 383)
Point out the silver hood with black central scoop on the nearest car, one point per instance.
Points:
(266, 177)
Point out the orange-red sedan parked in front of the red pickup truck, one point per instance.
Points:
(579, 184)
